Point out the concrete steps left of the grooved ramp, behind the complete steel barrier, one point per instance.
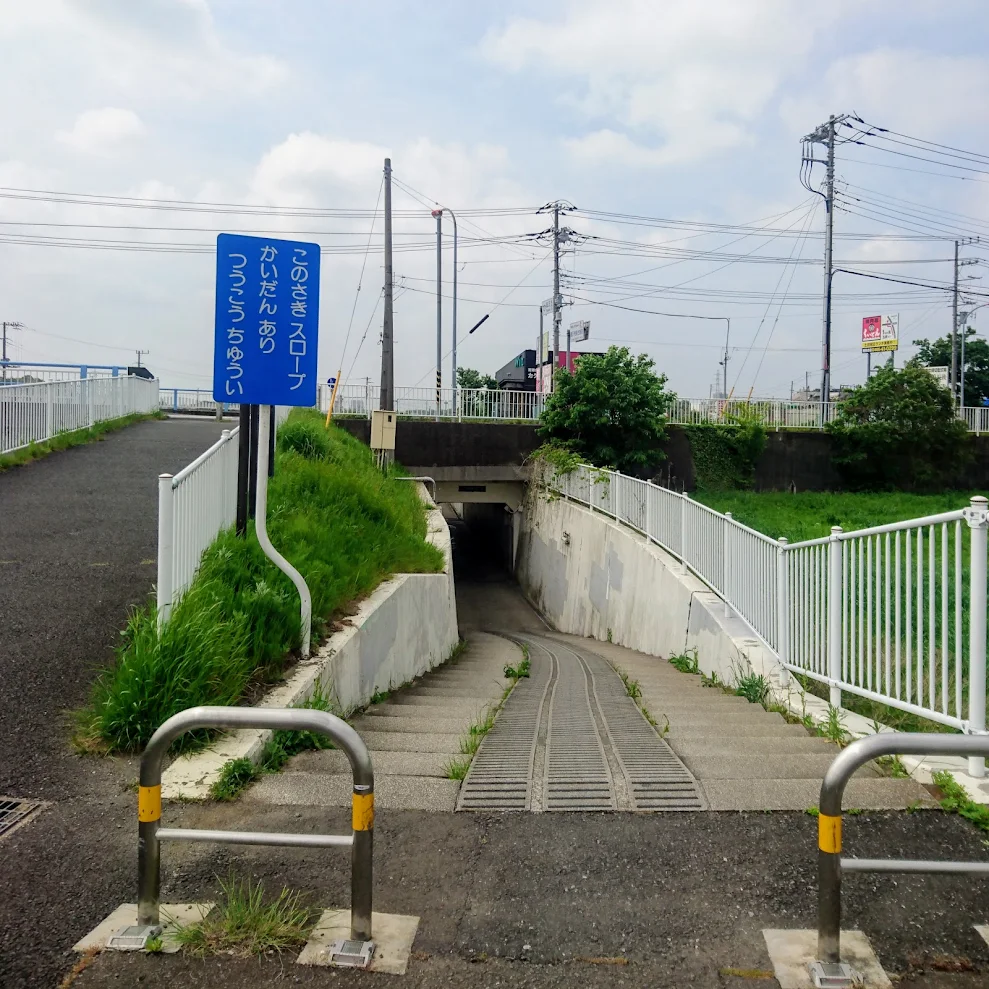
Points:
(412, 736)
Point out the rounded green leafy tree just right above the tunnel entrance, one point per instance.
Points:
(610, 411)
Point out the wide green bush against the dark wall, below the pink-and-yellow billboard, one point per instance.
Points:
(899, 430)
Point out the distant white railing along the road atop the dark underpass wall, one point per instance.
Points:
(360, 399)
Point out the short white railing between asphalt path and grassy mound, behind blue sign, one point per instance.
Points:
(194, 506)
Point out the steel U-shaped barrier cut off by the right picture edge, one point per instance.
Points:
(830, 863)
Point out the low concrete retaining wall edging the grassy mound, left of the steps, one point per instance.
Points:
(406, 627)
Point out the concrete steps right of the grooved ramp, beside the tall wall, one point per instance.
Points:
(744, 757)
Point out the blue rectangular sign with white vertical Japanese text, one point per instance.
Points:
(267, 321)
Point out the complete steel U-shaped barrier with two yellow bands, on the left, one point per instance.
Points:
(151, 834)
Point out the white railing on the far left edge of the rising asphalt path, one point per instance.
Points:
(38, 412)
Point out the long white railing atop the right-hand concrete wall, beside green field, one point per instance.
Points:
(894, 613)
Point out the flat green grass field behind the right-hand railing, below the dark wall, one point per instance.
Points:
(810, 514)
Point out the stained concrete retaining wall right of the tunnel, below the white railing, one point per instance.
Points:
(590, 576)
